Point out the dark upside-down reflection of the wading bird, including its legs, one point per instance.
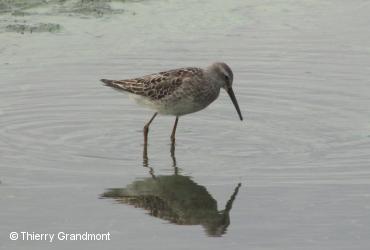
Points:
(175, 198)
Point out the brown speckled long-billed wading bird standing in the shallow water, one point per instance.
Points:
(178, 92)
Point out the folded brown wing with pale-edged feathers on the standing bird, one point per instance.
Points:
(155, 86)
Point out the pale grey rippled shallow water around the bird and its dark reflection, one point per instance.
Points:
(301, 77)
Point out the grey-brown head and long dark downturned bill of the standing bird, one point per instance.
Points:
(224, 77)
